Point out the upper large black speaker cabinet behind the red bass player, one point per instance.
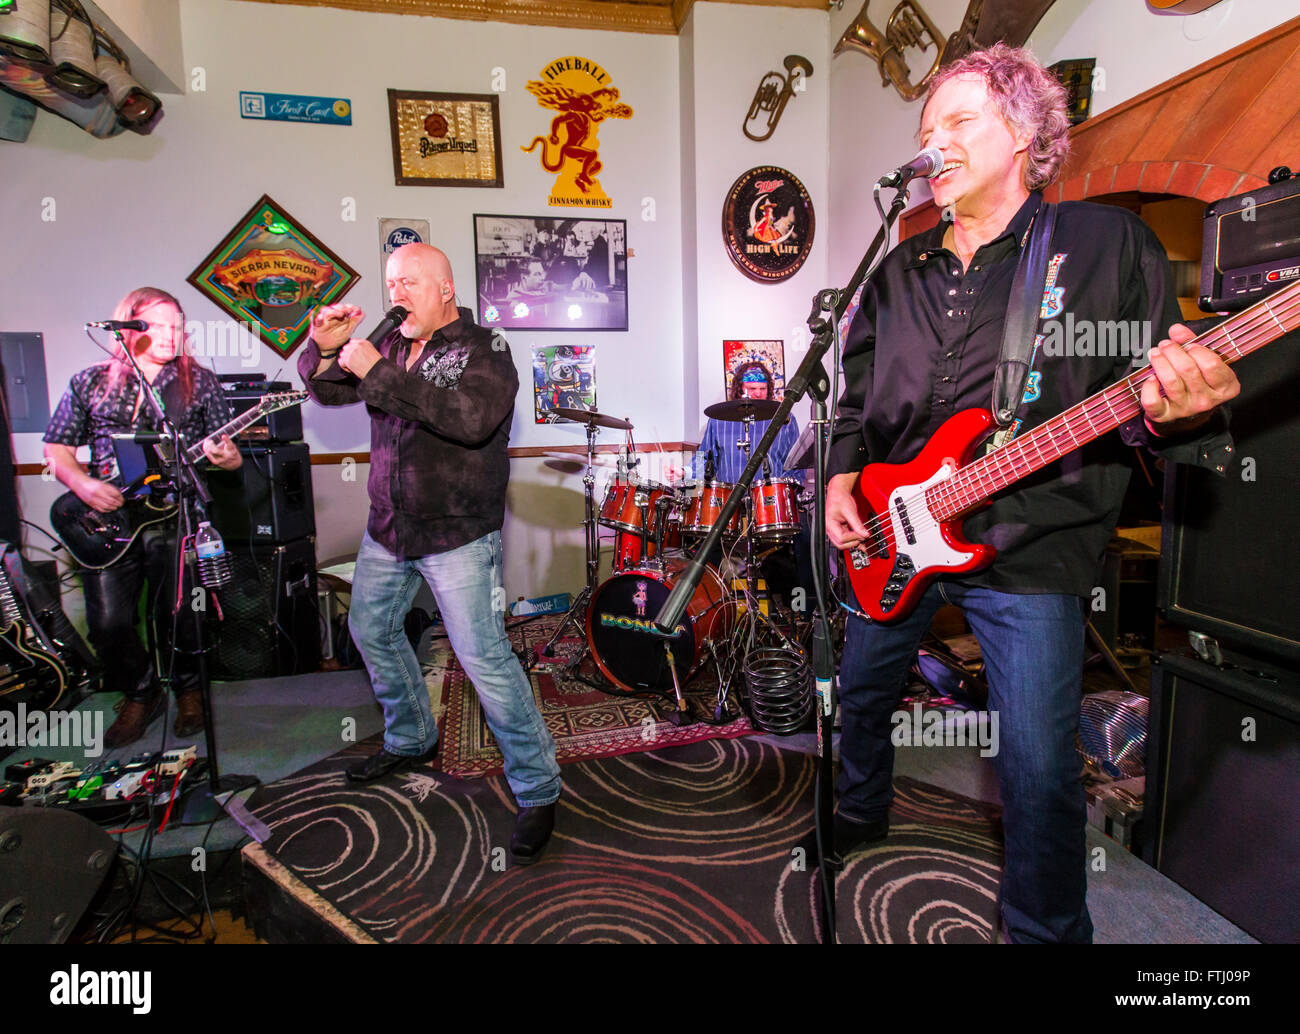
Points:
(1228, 565)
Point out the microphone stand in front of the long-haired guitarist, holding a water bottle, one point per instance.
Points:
(192, 497)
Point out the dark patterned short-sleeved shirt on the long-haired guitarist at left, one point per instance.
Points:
(93, 410)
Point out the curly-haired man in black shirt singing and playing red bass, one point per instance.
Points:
(925, 347)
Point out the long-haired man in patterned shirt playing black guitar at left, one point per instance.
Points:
(105, 400)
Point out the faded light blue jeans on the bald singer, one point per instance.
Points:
(466, 582)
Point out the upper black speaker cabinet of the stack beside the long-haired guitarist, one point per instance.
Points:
(268, 500)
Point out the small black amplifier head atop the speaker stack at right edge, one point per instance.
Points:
(1251, 246)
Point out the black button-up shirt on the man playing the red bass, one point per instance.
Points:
(925, 345)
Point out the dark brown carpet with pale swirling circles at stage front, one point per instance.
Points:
(687, 845)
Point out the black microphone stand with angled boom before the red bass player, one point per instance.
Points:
(809, 379)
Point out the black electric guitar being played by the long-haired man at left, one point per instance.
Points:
(99, 540)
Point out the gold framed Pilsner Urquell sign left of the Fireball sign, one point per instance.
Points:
(445, 140)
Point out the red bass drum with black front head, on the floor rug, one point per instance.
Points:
(621, 630)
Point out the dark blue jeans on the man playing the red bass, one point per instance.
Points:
(1033, 648)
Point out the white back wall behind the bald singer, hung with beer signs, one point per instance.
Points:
(148, 210)
